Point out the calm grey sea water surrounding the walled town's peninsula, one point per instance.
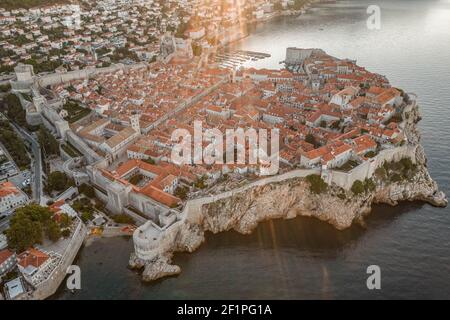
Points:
(230, 265)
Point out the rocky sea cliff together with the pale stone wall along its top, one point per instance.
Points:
(287, 196)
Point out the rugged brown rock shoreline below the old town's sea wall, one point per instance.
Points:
(288, 199)
